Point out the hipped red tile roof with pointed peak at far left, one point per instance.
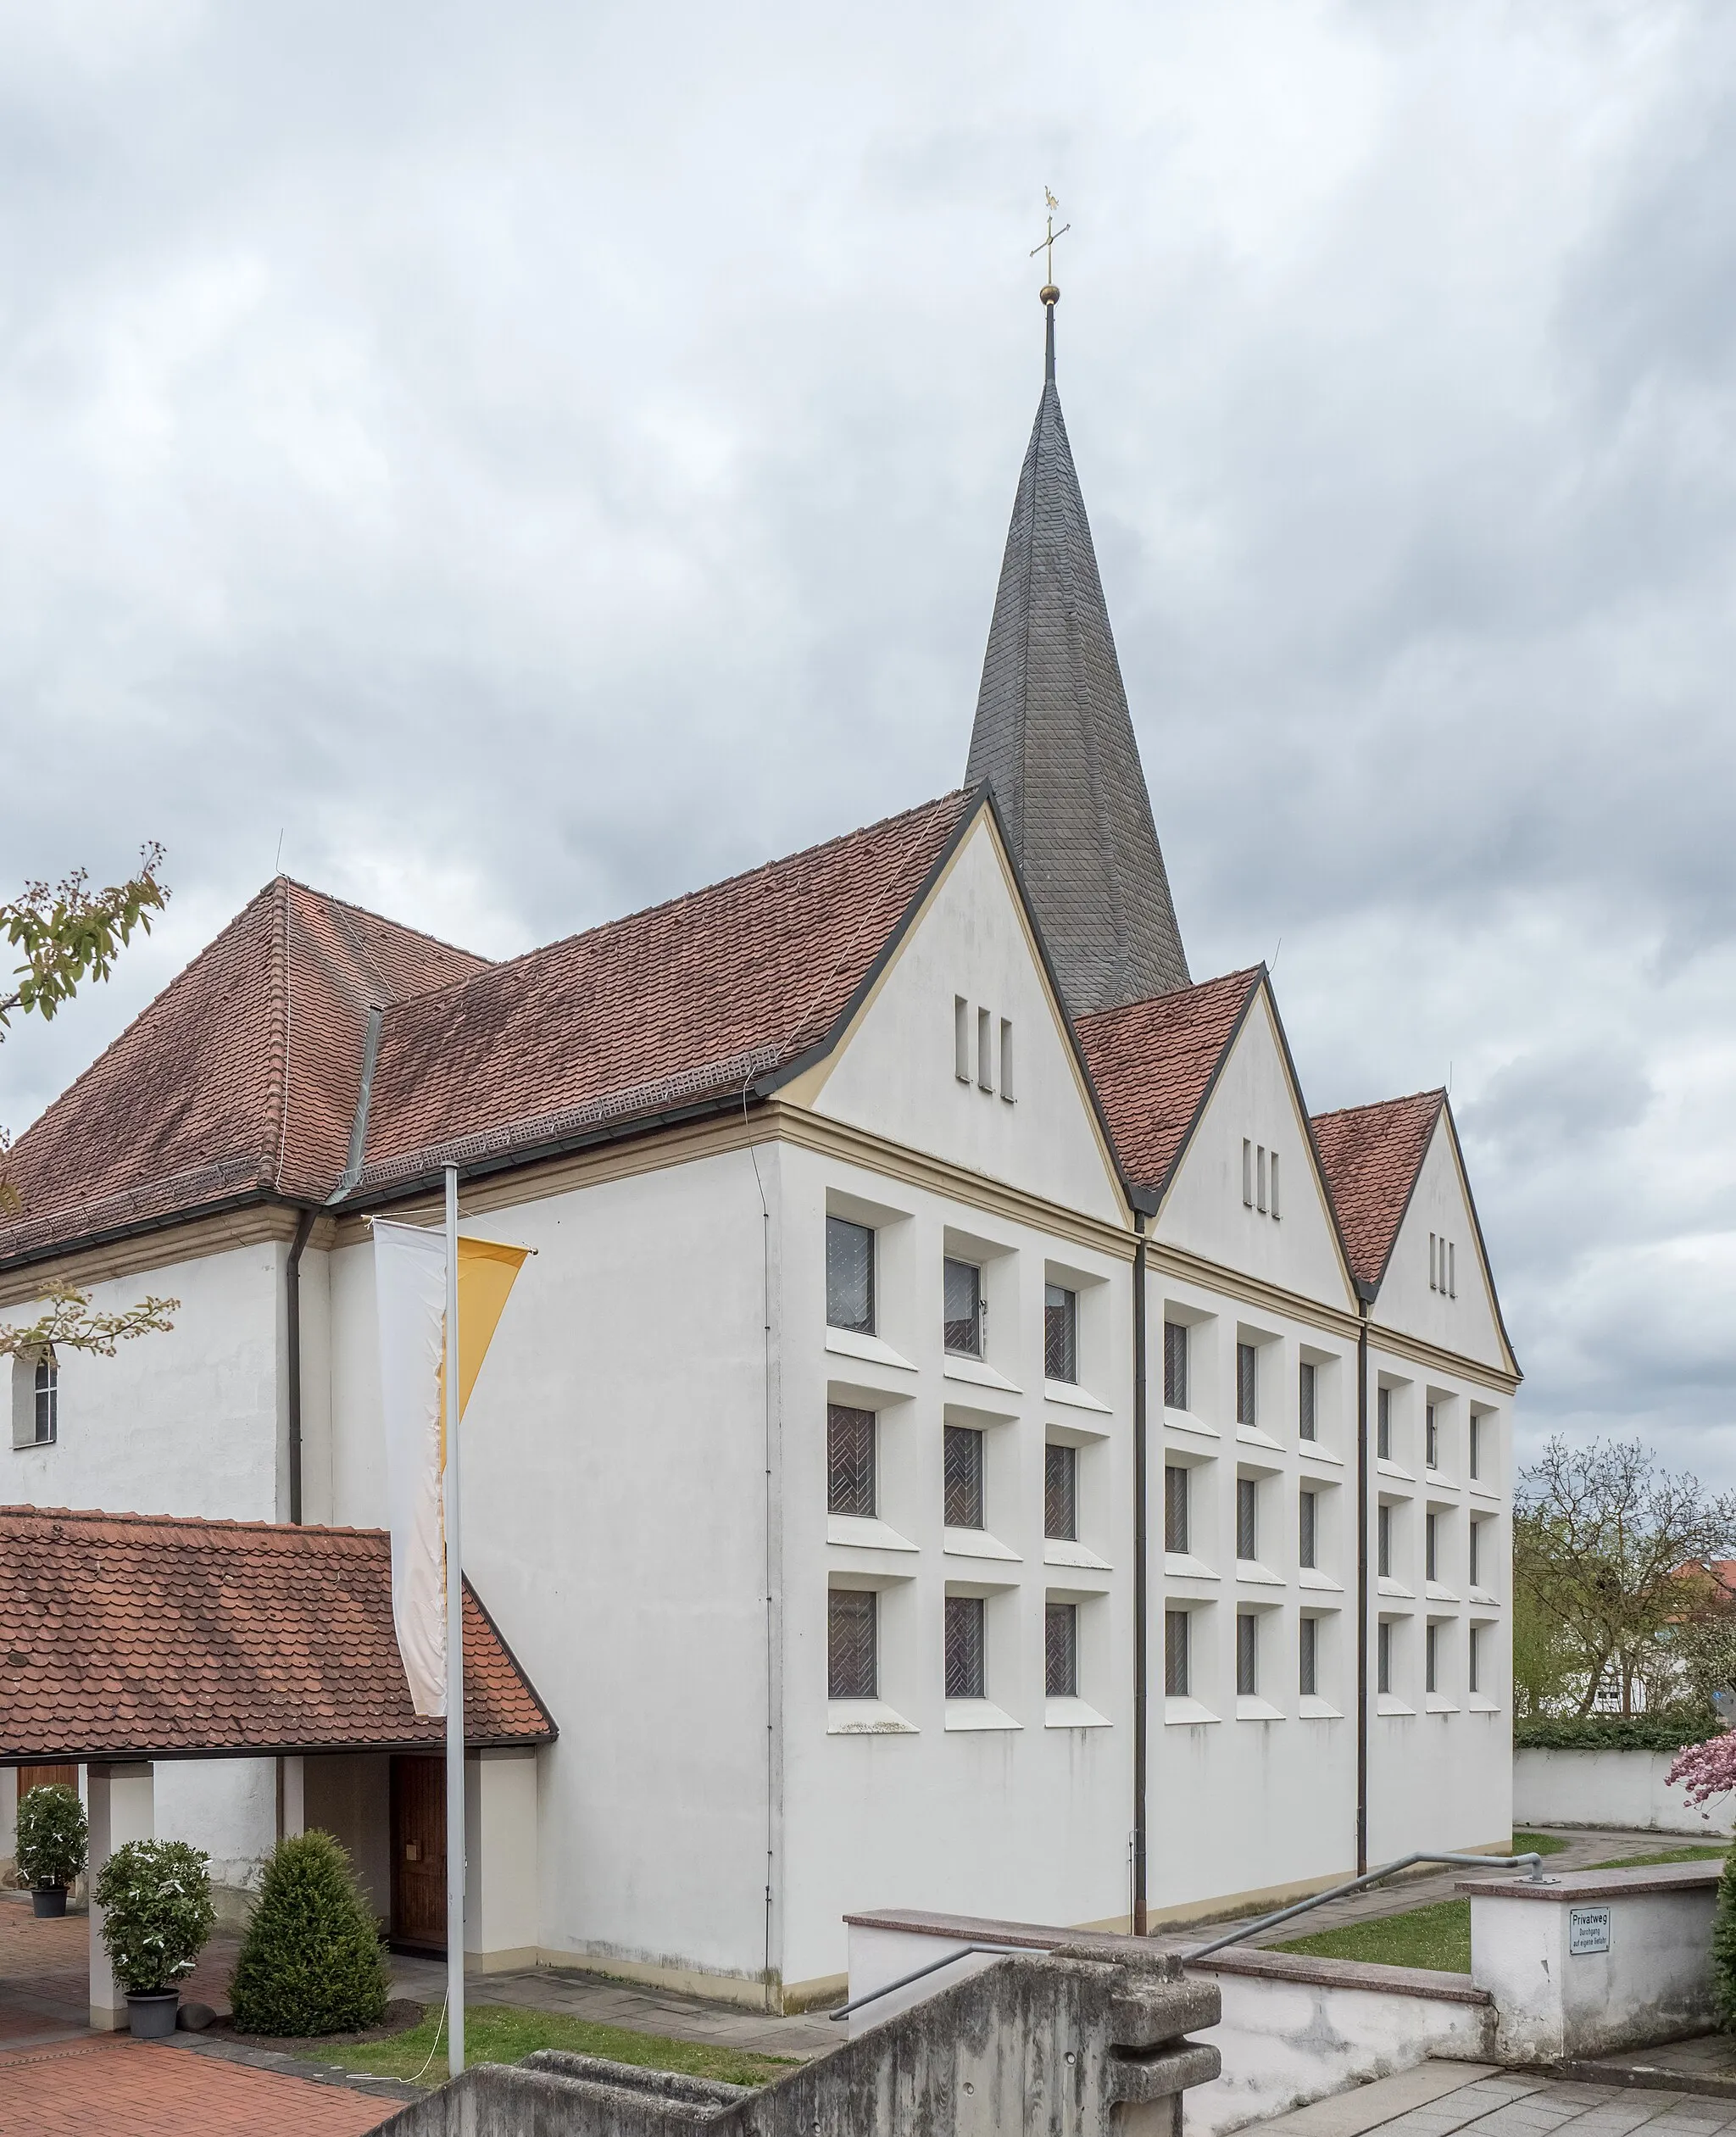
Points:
(238, 1078)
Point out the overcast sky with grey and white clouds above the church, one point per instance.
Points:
(533, 461)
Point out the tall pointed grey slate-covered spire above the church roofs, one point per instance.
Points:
(1057, 743)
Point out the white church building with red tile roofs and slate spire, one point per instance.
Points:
(970, 1437)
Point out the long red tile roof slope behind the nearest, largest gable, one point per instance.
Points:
(670, 1008)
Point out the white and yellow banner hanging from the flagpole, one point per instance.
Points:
(412, 1300)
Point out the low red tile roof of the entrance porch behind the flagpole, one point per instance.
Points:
(131, 1636)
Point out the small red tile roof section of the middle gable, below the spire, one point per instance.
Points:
(1153, 1065)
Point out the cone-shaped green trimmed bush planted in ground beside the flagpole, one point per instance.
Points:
(311, 1961)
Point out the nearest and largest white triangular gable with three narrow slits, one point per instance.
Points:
(895, 1067)
